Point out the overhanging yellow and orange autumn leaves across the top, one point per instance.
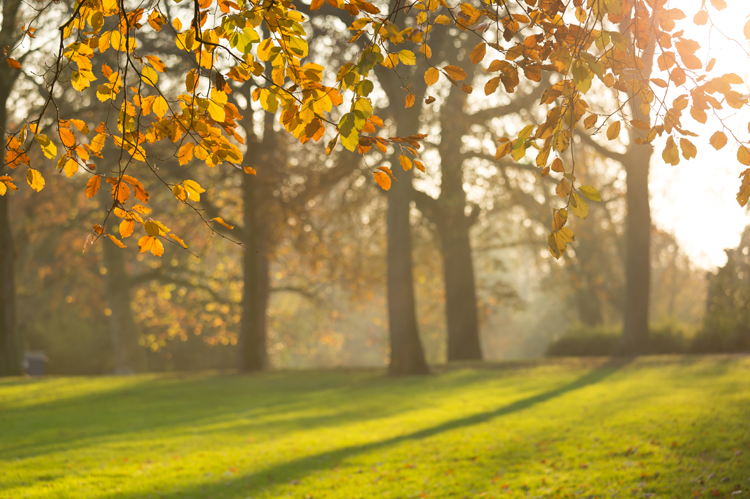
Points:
(612, 41)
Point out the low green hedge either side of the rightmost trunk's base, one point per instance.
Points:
(599, 341)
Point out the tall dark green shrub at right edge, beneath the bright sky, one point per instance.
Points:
(726, 325)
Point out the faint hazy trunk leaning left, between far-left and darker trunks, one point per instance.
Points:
(129, 355)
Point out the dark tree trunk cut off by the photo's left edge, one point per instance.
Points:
(11, 347)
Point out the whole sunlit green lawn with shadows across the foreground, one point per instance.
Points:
(661, 427)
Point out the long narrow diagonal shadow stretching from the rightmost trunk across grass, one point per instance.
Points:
(301, 467)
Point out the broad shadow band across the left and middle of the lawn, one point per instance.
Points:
(177, 405)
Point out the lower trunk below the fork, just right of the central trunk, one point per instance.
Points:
(460, 293)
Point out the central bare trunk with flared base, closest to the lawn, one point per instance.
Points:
(407, 356)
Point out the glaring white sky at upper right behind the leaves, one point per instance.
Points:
(696, 199)
